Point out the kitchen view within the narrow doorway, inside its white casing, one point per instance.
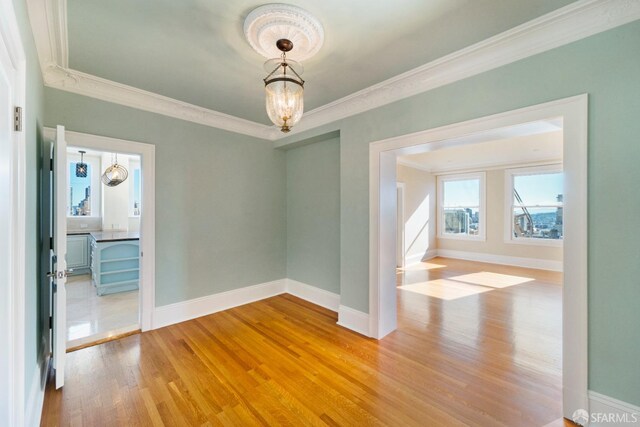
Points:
(103, 247)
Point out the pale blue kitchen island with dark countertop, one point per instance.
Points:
(115, 261)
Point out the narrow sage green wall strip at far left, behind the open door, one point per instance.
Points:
(35, 347)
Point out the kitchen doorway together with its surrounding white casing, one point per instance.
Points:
(110, 239)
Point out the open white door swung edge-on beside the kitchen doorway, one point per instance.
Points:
(59, 312)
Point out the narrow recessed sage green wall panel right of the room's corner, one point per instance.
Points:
(313, 214)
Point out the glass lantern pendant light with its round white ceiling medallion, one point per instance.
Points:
(273, 30)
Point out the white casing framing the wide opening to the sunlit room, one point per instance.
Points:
(383, 223)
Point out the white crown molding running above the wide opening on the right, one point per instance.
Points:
(563, 26)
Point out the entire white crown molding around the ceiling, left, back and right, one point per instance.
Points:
(565, 25)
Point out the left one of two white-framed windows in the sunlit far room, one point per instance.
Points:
(461, 206)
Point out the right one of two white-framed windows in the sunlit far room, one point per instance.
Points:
(534, 205)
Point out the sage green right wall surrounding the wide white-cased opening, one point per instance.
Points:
(606, 66)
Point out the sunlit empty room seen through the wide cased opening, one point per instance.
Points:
(484, 231)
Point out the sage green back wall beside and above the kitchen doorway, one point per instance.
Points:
(220, 197)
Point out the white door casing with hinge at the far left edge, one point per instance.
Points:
(13, 165)
